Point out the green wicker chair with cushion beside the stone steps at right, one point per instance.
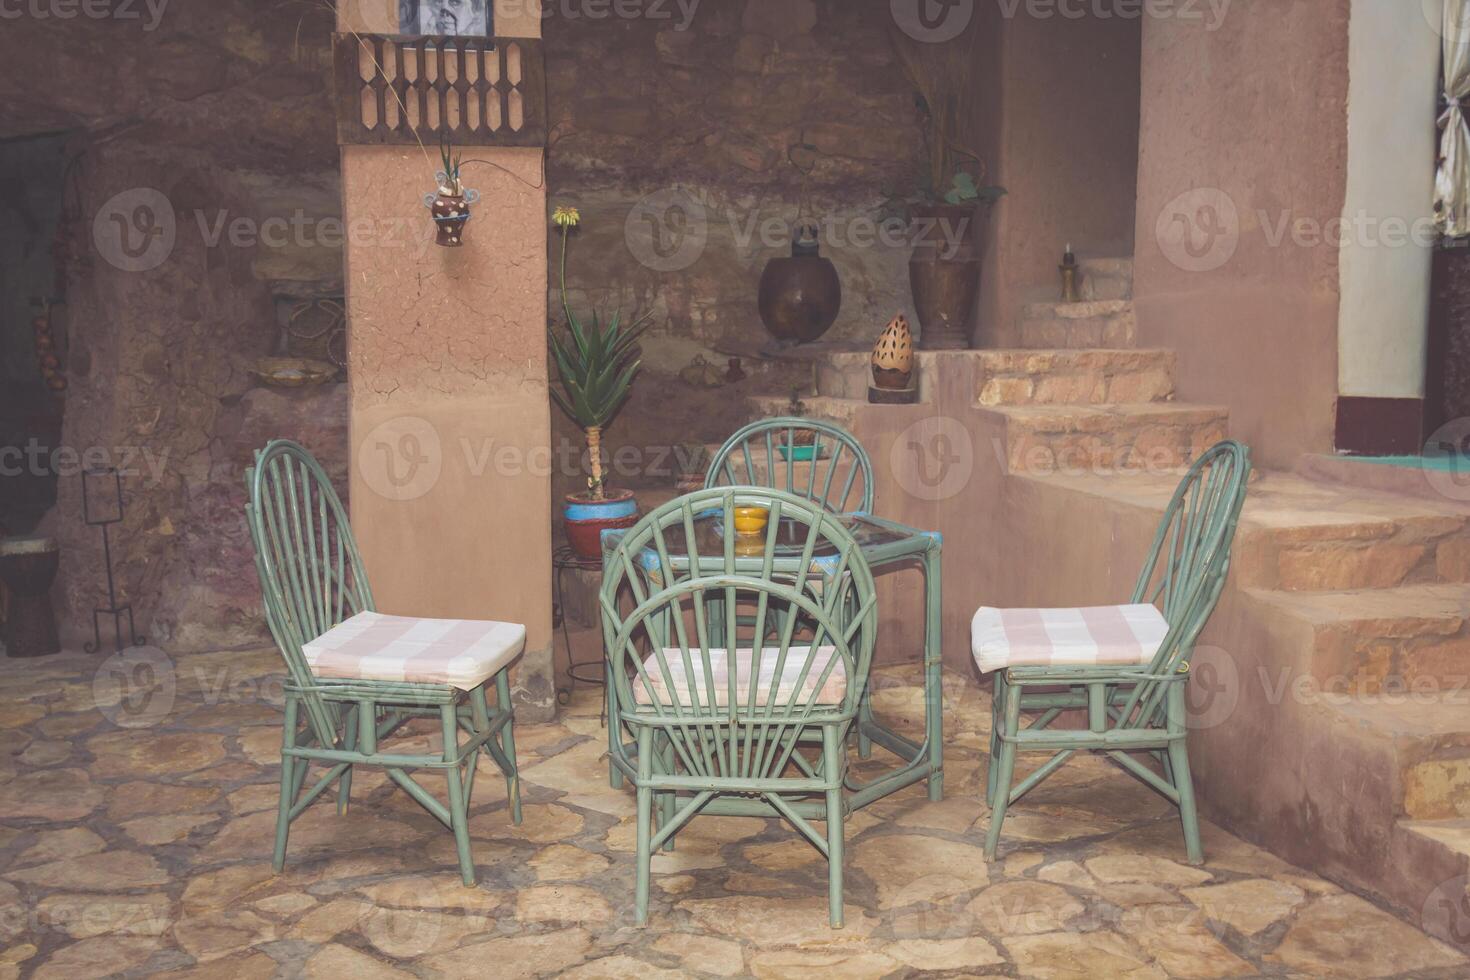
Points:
(1127, 666)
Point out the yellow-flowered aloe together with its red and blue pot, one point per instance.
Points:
(596, 368)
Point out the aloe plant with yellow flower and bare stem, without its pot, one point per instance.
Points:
(596, 367)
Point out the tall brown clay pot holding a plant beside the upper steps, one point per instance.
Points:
(944, 275)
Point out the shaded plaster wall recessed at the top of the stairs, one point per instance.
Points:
(1061, 121)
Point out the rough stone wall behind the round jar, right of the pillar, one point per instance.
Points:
(673, 139)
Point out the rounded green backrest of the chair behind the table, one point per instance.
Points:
(839, 474)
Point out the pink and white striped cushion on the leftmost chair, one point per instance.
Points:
(401, 649)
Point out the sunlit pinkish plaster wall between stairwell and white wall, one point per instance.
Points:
(1243, 136)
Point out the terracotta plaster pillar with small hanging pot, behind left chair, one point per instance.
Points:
(451, 417)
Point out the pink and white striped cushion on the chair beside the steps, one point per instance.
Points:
(1077, 637)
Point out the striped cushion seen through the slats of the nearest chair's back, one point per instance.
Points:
(831, 694)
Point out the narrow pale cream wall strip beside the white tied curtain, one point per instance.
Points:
(1384, 324)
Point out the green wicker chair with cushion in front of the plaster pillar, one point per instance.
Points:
(359, 677)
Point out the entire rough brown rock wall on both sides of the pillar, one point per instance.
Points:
(207, 184)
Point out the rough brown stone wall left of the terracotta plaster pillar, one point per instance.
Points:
(180, 129)
